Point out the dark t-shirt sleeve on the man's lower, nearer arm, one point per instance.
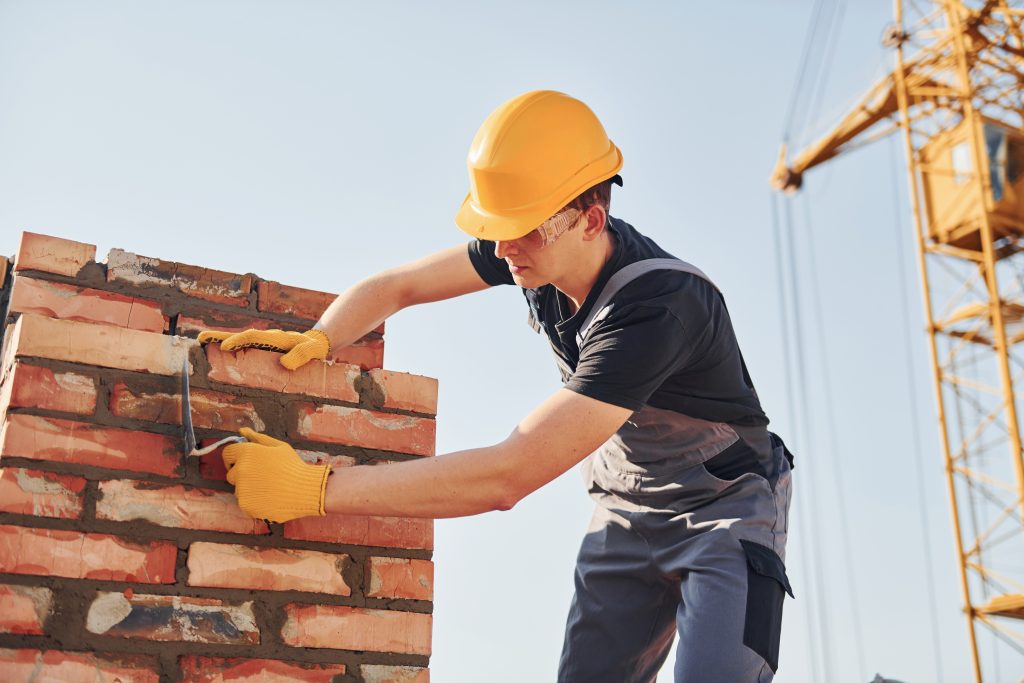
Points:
(629, 355)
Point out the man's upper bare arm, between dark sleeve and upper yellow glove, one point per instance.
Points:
(365, 306)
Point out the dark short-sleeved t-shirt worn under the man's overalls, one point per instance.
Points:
(667, 343)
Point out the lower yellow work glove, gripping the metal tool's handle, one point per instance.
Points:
(272, 482)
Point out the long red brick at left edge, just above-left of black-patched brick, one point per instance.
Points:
(50, 552)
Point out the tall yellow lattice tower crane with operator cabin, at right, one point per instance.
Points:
(957, 95)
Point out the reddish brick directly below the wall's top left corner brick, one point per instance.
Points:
(79, 304)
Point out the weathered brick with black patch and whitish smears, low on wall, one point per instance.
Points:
(173, 618)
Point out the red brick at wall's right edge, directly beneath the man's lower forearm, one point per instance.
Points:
(360, 531)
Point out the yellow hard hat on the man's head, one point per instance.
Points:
(534, 155)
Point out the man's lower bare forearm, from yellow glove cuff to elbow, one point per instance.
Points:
(457, 485)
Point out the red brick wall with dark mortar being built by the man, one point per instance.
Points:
(121, 560)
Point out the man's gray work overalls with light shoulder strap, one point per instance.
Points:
(672, 547)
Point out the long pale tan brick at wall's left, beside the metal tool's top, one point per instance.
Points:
(100, 346)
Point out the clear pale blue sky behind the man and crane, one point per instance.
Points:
(317, 143)
